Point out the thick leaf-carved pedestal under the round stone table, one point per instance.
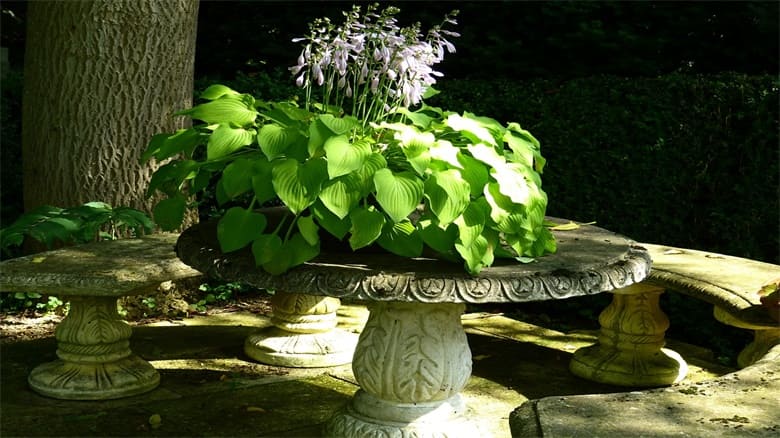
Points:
(412, 360)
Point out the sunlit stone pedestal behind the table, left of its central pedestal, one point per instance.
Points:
(304, 334)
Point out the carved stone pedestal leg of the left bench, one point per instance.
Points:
(95, 361)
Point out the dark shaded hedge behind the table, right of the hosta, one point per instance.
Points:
(688, 161)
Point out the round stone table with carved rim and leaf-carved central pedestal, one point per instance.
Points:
(412, 358)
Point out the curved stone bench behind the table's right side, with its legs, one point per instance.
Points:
(630, 345)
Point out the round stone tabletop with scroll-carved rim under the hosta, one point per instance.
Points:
(589, 260)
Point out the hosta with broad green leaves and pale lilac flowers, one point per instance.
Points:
(362, 158)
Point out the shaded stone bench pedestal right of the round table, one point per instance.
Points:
(630, 349)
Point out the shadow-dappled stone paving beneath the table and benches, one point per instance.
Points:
(209, 388)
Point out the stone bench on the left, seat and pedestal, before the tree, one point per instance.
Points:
(95, 360)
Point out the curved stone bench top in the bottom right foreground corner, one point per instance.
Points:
(740, 404)
